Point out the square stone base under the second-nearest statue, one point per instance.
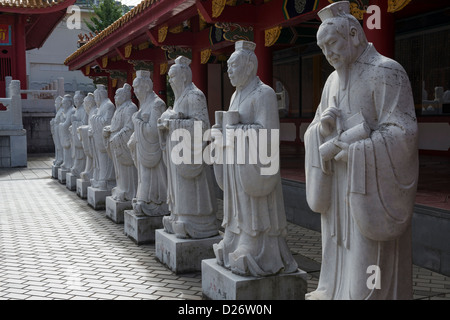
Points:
(219, 283)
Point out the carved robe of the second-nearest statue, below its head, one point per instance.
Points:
(253, 203)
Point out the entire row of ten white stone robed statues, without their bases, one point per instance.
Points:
(361, 163)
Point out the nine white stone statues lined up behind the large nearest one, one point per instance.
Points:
(130, 152)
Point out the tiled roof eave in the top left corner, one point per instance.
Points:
(34, 6)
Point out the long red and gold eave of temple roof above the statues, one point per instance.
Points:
(159, 21)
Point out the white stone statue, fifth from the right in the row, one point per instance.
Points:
(116, 137)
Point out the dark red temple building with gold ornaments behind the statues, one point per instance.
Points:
(415, 33)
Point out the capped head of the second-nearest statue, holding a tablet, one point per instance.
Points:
(243, 63)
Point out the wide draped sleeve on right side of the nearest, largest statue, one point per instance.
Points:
(383, 169)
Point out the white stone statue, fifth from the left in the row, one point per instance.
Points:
(105, 179)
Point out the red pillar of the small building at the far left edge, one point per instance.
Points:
(20, 55)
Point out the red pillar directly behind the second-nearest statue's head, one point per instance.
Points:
(264, 55)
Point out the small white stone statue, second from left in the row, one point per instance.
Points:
(64, 133)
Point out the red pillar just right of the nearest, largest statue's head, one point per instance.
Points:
(384, 38)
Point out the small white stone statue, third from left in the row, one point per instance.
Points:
(79, 118)
